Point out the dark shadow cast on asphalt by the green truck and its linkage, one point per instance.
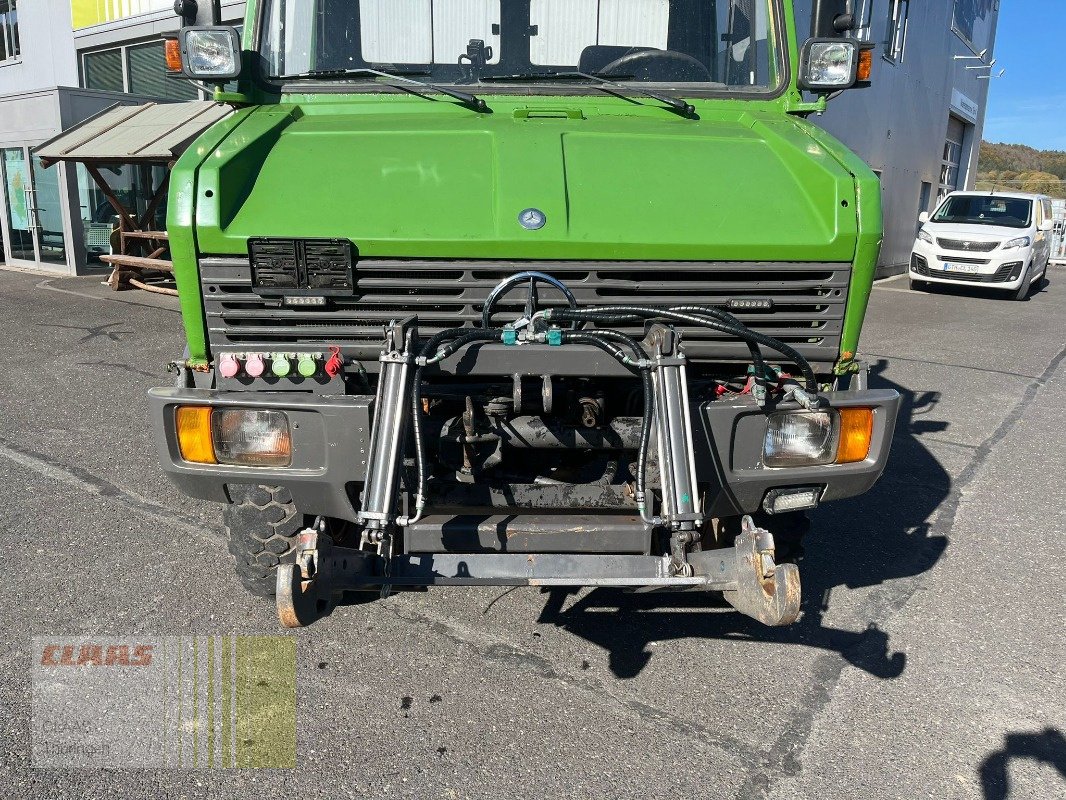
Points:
(882, 537)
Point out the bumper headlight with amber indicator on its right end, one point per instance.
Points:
(816, 439)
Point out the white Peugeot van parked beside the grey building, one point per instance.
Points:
(1002, 241)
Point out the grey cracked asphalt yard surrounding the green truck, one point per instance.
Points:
(929, 661)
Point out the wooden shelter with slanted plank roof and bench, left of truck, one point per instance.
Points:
(152, 135)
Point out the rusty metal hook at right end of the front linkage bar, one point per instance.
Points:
(766, 591)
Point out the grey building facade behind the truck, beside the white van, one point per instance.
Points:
(919, 124)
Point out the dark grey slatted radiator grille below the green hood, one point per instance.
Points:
(807, 310)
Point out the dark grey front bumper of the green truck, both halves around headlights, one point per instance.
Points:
(331, 444)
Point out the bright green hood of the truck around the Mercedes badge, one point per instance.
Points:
(409, 178)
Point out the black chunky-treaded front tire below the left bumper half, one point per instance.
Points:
(262, 527)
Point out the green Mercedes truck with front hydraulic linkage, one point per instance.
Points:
(523, 293)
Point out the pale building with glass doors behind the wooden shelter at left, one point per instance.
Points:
(61, 62)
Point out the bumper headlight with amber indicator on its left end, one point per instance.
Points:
(240, 437)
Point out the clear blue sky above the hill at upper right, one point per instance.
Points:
(1028, 105)
